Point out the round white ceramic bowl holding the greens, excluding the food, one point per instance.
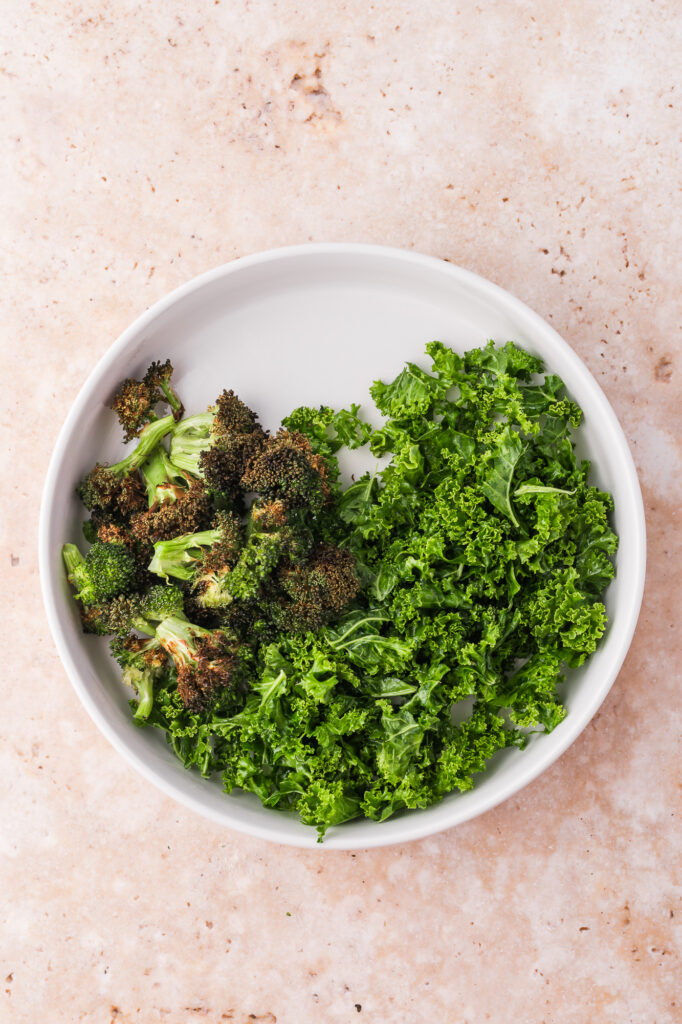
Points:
(317, 325)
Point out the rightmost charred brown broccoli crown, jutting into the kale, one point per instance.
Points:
(317, 591)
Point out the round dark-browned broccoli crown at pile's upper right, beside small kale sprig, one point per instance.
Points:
(286, 470)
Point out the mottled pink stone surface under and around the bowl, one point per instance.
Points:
(537, 144)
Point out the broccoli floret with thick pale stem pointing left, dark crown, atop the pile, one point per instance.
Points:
(219, 445)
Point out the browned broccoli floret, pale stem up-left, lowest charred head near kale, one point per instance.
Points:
(206, 661)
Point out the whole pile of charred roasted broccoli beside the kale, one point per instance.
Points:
(177, 509)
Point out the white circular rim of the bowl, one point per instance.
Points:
(419, 828)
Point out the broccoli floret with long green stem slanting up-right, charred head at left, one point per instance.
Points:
(118, 489)
